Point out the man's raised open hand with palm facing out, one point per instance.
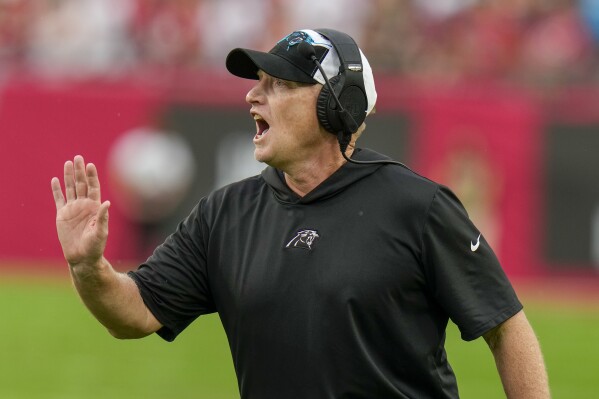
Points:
(81, 218)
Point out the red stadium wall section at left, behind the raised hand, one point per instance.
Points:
(41, 126)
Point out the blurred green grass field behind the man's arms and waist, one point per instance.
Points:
(51, 348)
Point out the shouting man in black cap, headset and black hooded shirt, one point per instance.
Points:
(332, 279)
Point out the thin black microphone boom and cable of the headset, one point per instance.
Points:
(349, 123)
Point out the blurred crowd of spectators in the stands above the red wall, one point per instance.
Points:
(531, 42)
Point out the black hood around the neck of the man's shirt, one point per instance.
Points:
(346, 175)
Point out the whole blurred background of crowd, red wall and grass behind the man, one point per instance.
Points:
(499, 100)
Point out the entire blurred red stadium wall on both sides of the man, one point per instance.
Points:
(484, 143)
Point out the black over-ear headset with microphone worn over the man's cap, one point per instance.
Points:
(342, 102)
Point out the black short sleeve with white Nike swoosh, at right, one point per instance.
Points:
(462, 270)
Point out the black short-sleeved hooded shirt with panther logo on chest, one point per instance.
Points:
(343, 293)
